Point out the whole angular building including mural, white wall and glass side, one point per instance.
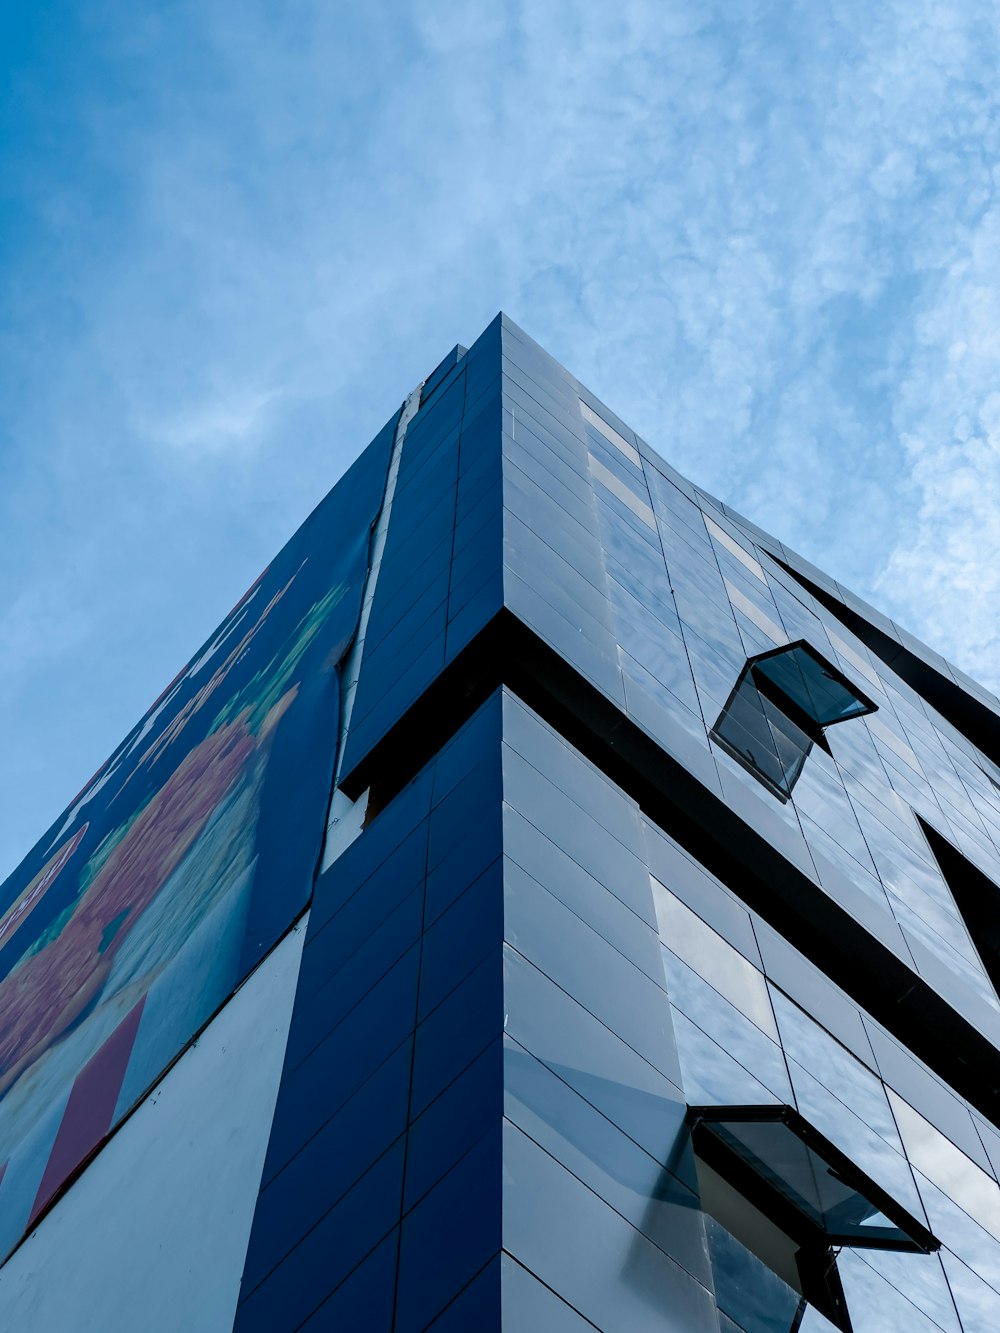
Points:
(546, 904)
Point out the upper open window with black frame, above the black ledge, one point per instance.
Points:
(778, 711)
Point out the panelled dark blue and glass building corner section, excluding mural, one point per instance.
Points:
(657, 987)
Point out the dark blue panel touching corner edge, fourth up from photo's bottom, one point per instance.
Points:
(458, 1031)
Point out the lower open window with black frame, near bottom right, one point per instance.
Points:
(793, 1199)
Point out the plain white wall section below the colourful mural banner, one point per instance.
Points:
(155, 1232)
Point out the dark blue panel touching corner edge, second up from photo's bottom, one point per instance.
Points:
(450, 1236)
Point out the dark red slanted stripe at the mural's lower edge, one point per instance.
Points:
(87, 1118)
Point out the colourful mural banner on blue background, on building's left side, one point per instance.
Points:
(181, 864)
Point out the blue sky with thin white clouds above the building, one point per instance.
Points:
(234, 235)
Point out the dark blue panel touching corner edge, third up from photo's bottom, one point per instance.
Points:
(455, 1122)
